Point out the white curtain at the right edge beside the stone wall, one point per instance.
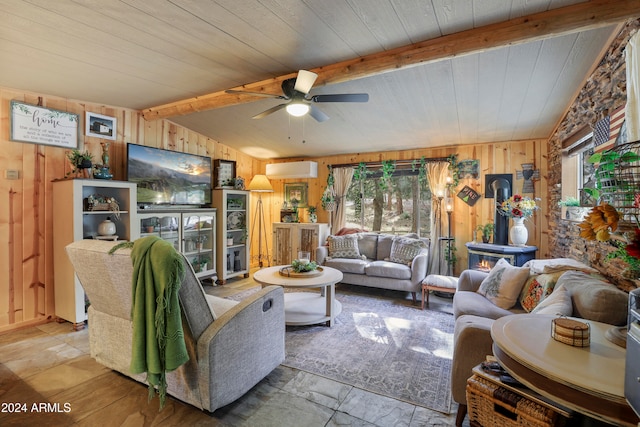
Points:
(632, 113)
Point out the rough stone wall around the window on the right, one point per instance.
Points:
(604, 91)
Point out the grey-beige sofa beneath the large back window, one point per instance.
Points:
(371, 266)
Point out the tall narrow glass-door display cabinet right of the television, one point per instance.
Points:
(232, 233)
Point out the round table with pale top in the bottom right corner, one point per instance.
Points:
(589, 380)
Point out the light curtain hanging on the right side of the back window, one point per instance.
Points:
(437, 173)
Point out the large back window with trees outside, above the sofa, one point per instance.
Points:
(392, 198)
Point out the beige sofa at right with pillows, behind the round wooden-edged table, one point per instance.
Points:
(590, 298)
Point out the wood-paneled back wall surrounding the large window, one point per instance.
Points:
(503, 157)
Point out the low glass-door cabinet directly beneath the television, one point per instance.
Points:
(191, 231)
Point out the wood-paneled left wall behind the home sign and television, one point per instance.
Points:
(27, 206)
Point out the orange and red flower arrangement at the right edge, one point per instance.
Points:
(602, 224)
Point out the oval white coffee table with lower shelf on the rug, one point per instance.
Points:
(305, 308)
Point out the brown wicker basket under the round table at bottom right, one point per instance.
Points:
(492, 405)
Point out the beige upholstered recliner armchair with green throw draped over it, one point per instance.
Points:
(231, 345)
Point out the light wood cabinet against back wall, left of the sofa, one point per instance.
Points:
(289, 238)
